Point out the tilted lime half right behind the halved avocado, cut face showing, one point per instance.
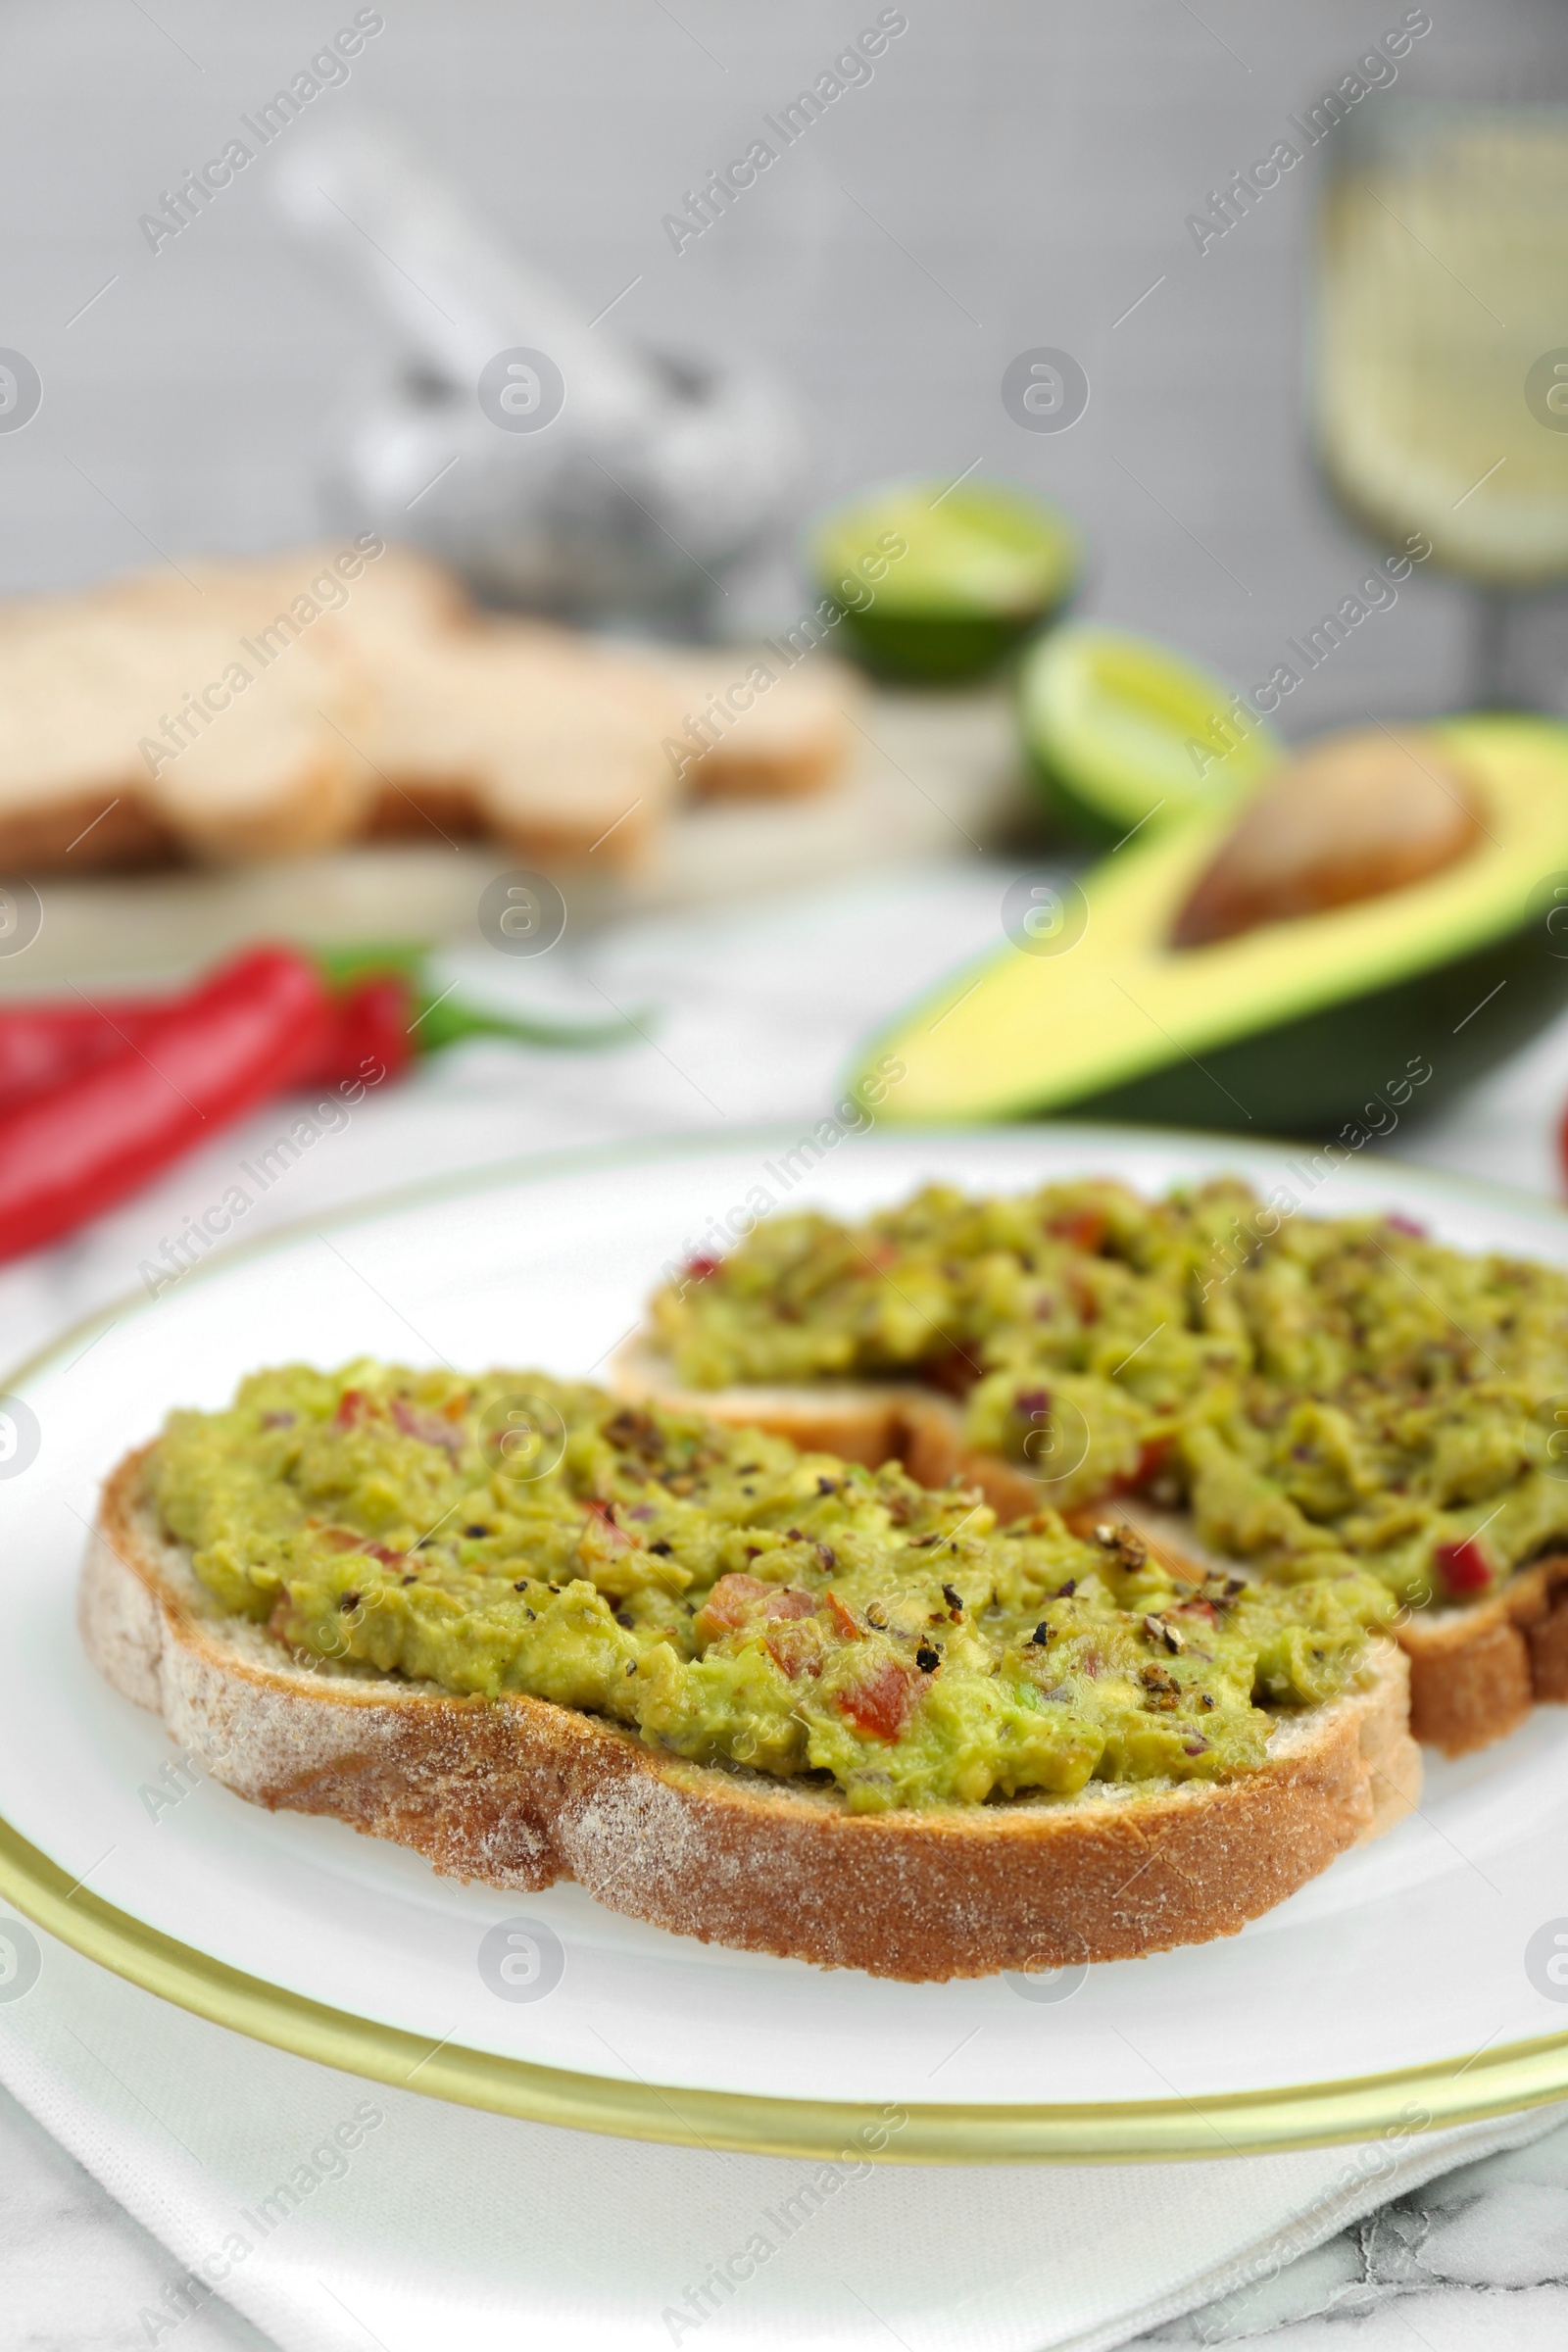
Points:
(1123, 733)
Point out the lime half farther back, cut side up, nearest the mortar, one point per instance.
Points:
(981, 568)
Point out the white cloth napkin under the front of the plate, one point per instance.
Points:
(410, 2224)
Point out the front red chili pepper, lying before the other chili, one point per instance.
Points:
(196, 1067)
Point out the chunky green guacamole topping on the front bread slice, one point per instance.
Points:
(730, 1598)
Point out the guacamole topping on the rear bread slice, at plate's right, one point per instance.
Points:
(1322, 1394)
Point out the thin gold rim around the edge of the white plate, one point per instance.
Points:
(1447, 2092)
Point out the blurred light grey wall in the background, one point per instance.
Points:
(1014, 175)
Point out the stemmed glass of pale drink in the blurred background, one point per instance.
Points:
(1440, 392)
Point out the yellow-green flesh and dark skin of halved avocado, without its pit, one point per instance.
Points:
(1289, 1029)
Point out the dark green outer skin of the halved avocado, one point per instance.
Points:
(1315, 1076)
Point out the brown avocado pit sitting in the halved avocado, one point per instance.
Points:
(1355, 817)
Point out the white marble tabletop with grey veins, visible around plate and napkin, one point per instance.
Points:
(758, 1013)
